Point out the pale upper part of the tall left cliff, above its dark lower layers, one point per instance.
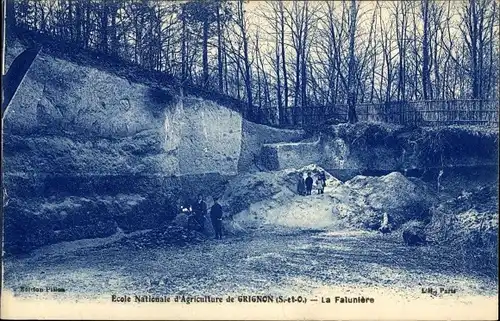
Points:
(96, 123)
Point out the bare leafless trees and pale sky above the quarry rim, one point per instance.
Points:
(286, 59)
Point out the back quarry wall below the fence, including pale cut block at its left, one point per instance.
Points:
(368, 147)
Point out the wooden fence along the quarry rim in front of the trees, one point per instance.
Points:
(418, 113)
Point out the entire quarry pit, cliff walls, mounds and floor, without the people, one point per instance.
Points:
(96, 166)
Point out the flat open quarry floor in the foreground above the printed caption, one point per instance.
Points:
(284, 261)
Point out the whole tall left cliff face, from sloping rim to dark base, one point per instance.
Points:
(81, 143)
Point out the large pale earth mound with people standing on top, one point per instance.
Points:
(270, 198)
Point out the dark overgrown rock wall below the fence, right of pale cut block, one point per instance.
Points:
(387, 147)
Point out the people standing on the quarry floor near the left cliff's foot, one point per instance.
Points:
(199, 211)
